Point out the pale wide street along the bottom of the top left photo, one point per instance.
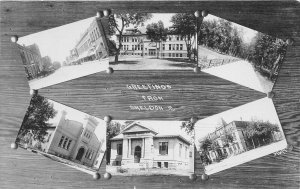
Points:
(66, 73)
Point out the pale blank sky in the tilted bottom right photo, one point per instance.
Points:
(262, 109)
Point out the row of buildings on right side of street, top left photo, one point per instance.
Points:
(92, 45)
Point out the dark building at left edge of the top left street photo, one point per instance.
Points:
(32, 60)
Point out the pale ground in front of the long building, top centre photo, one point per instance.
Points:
(150, 63)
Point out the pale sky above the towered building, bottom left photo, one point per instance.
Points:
(73, 114)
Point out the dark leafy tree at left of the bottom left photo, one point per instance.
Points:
(36, 118)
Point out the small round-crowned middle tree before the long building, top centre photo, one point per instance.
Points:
(157, 33)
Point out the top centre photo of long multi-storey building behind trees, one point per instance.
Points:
(152, 41)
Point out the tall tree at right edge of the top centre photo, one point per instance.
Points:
(185, 25)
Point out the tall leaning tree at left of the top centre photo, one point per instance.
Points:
(118, 22)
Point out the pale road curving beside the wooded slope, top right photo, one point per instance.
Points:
(243, 73)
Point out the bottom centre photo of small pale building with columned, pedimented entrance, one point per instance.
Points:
(149, 148)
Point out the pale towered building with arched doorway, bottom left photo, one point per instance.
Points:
(74, 141)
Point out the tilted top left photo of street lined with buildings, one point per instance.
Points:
(64, 53)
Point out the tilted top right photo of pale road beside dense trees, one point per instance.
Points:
(239, 54)
